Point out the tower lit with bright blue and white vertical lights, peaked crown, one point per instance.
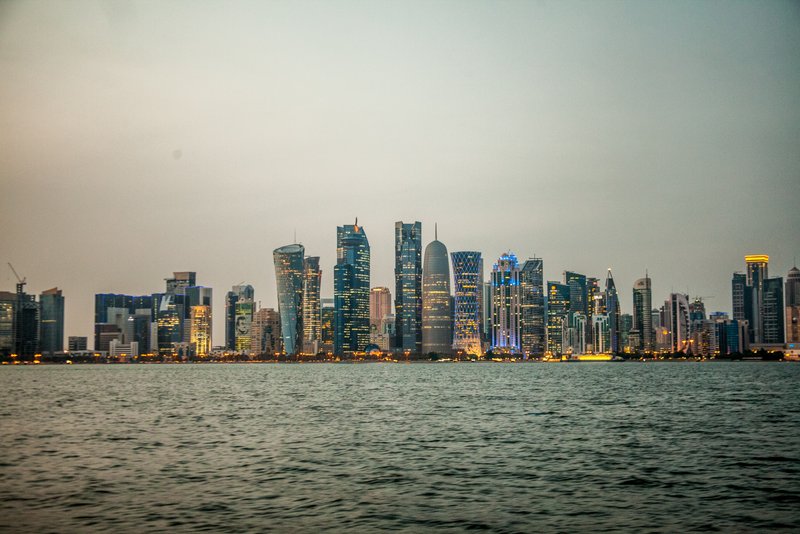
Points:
(506, 305)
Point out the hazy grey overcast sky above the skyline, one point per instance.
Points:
(142, 138)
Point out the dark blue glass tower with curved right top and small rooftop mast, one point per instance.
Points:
(351, 289)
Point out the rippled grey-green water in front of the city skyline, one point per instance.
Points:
(453, 447)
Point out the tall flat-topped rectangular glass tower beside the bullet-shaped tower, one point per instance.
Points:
(408, 285)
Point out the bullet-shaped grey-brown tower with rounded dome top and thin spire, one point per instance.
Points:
(437, 315)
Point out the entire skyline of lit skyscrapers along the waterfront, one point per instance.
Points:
(442, 306)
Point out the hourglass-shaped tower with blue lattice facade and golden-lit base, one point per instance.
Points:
(468, 282)
